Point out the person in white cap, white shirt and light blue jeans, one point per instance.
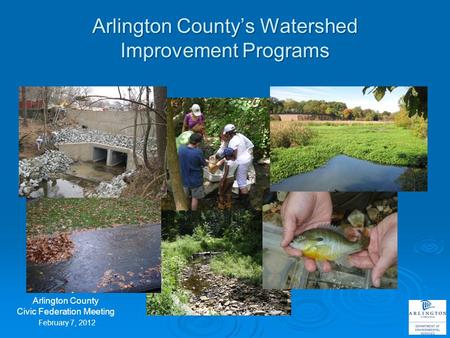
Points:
(243, 155)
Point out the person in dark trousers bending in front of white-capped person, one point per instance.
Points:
(226, 183)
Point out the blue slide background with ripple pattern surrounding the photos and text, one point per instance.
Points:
(401, 43)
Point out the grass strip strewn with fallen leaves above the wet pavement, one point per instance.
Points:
(49, 215)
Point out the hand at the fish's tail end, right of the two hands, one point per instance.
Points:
(381, 253)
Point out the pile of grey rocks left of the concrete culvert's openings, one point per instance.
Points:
(37, 169)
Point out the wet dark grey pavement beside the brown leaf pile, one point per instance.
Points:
(121, 259)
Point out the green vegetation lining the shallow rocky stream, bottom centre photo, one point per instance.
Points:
(176, 256)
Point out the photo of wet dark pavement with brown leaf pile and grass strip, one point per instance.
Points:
(93, 245)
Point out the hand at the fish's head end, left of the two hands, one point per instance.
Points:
(302, 211)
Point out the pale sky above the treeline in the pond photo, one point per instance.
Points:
(351, 96)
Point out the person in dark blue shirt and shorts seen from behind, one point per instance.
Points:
(191, 165)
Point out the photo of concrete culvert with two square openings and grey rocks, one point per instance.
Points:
(77, 142)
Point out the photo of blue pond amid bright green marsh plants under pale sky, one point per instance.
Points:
(349, 139)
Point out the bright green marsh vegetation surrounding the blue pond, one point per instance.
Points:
(382, 143)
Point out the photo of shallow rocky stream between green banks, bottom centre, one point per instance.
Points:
(212, 265)
